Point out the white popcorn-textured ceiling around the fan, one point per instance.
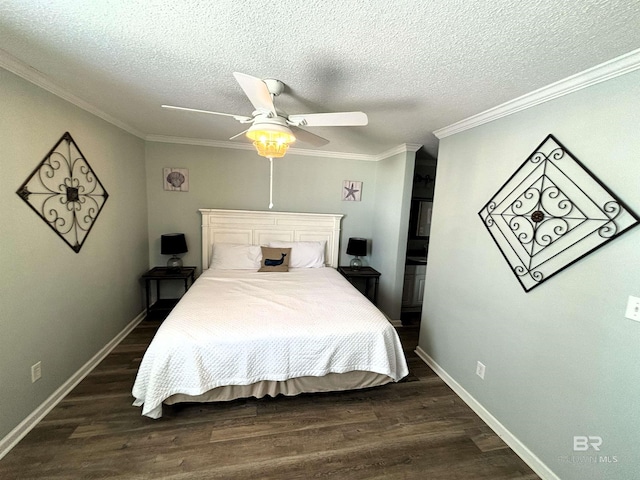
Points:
(412, 66)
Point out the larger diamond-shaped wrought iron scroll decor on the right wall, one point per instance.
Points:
(551, 213)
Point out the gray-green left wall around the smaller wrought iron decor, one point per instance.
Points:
(56, 306)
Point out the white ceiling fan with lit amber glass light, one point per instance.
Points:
(272, 130)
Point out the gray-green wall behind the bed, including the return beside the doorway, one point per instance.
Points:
(239, 179)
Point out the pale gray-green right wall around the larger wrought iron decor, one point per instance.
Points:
(561, 360)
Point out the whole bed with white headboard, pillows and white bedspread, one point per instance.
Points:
(251, 326)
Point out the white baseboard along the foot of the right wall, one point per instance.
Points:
(516, 445)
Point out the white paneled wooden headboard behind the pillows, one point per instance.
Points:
(259, 228)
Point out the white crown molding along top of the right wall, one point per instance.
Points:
(605, 71)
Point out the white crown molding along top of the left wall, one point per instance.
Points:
(30, 74)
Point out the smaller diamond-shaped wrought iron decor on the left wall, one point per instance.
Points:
(65, 192)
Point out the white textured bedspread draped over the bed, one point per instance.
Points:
(236, 327)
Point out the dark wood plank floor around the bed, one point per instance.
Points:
(416, 429)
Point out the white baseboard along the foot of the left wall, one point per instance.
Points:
(18, 433)
